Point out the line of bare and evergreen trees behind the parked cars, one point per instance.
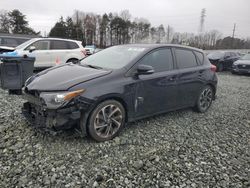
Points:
(114, 29)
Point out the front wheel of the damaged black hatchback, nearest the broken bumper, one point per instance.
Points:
(106, 120)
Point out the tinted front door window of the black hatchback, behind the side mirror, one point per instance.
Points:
(160, 60)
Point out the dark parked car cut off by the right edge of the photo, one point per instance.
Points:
(242, 66)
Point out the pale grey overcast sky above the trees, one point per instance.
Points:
(182, 15)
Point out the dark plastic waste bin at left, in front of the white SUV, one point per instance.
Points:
(14, 71)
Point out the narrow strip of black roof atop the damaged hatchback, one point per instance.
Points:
(152, 46)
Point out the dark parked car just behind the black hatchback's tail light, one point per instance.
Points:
(223, 60)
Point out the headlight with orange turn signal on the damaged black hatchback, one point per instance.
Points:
(59, 99)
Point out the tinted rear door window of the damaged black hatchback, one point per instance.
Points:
(185, 58)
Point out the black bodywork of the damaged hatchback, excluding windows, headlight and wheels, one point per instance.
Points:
(141, 95)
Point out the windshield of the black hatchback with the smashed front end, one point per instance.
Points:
(114, 57)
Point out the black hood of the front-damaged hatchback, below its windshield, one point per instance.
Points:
(63, 77)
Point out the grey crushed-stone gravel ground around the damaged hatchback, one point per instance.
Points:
(177, 149)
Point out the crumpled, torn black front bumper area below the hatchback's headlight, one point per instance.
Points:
(63, 118)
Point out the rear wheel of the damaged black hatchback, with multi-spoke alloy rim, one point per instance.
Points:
(205, 99)
